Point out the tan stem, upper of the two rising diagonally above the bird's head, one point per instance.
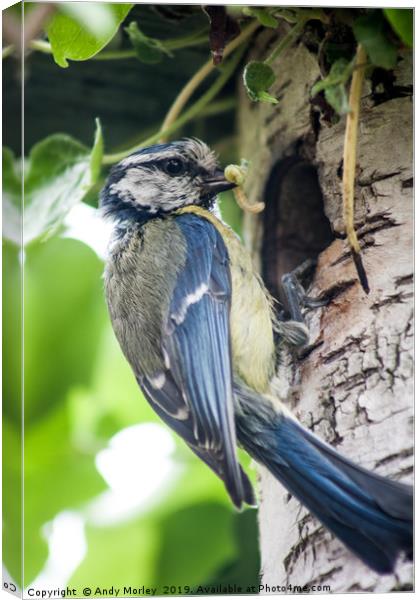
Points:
(188, 90)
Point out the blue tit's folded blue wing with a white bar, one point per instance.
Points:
(194, 392)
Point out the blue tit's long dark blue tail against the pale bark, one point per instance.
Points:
(371, 515)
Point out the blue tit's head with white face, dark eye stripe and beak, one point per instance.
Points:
(161, 179)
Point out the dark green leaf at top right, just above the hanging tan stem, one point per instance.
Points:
(369, 31)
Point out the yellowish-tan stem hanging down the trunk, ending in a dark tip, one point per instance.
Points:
(349, 163)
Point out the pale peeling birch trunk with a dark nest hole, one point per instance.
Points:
(353, 384)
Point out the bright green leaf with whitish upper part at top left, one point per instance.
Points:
(73, 34)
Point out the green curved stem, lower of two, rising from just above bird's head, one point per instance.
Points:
(191, 113)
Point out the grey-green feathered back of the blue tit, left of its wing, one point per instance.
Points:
(139, 281)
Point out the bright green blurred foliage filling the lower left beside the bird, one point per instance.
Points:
(79, 391)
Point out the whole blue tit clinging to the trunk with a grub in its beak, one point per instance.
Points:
(197, 326)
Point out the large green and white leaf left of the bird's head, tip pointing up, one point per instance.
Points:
(58, 174)
